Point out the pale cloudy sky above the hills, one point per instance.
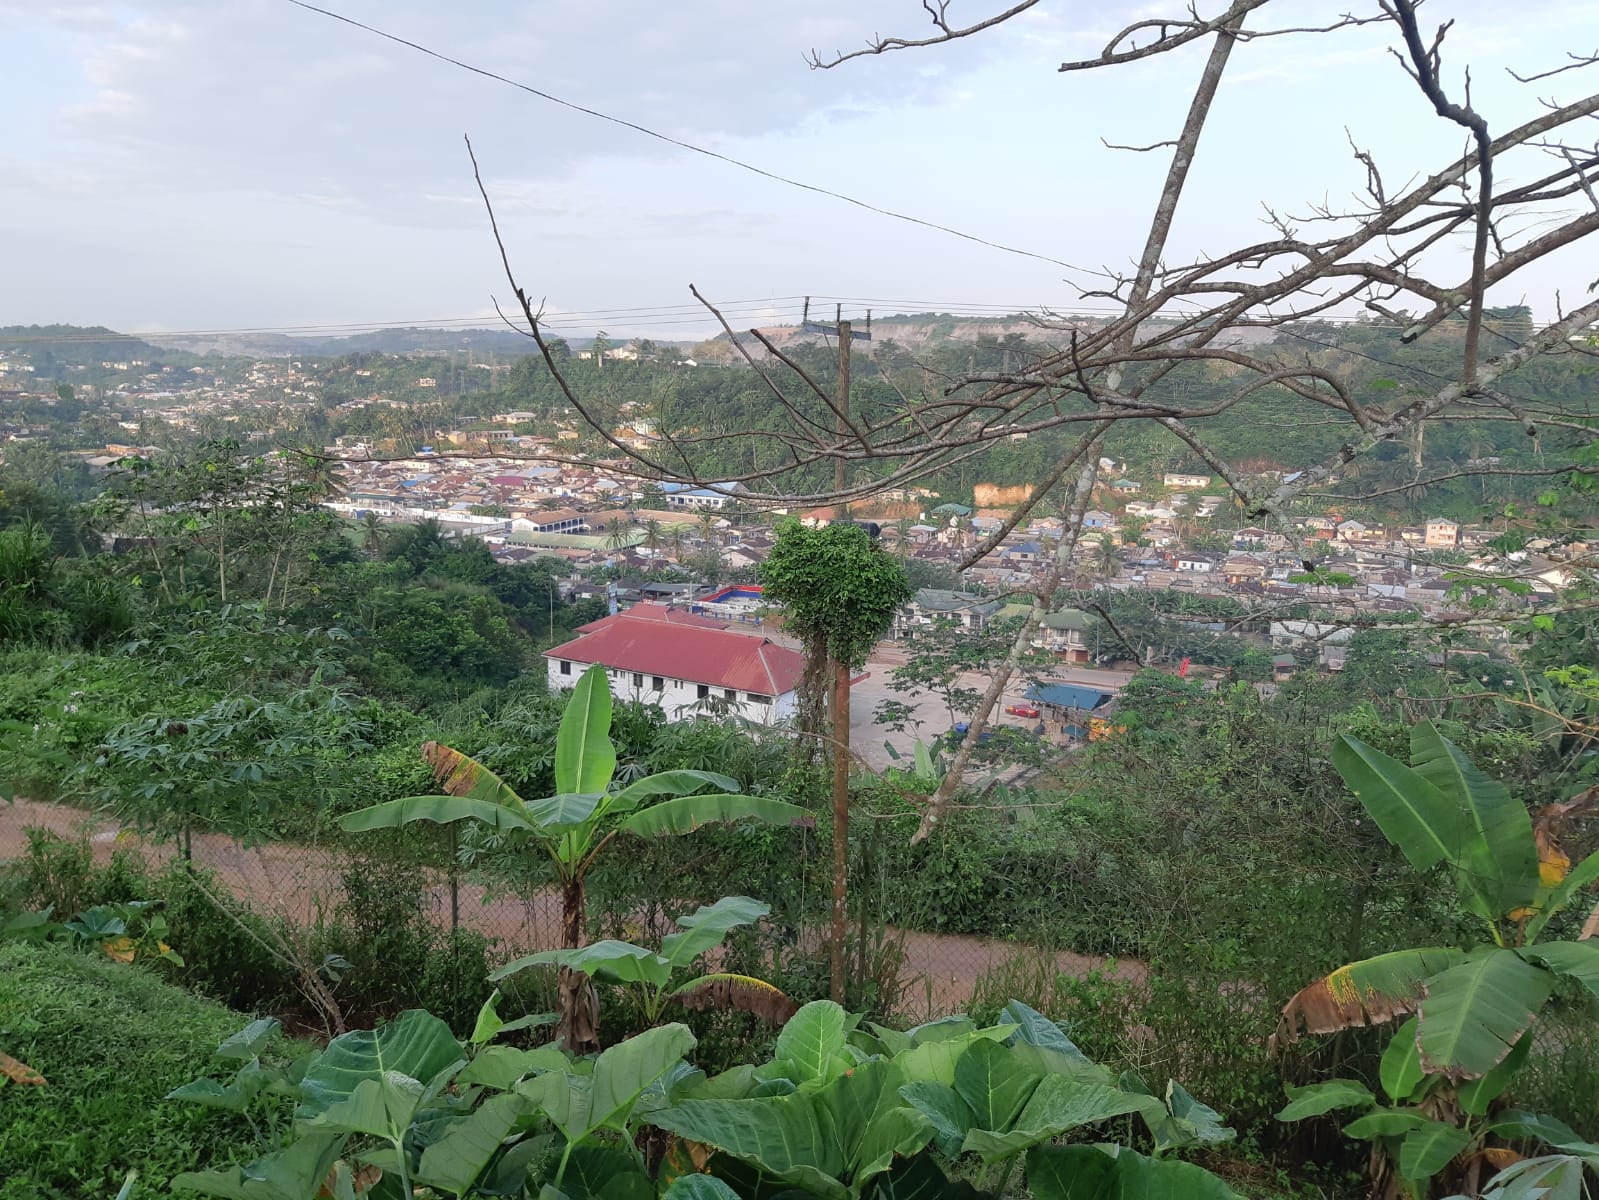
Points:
(196, 166)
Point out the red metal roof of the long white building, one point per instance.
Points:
(695, 654)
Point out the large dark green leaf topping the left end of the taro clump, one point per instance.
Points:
(417, 1047)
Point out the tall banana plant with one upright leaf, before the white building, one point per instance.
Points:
(576, 825)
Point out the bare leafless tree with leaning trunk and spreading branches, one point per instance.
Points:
(1515, 196)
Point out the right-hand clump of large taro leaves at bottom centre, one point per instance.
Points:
(843, 1113)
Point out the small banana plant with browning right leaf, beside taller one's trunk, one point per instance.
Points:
(652, 975)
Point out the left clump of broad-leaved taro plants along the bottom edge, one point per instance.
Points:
(402, 1113)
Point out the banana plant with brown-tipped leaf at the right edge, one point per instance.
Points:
(1473, 1009)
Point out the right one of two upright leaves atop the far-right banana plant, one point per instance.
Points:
(1493, 839)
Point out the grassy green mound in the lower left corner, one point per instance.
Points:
(111, 1041)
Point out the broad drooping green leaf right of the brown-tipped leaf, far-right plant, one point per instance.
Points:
(1473, 1014)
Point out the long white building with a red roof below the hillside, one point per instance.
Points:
(684, 663)
